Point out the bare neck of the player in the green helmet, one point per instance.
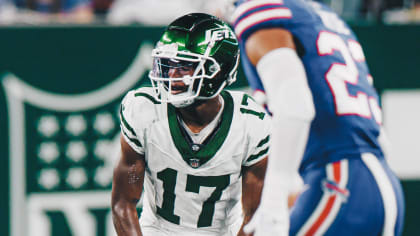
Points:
(196, 117)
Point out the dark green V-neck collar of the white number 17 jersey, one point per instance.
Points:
(207, 151)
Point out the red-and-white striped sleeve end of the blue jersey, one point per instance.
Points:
(251, 16)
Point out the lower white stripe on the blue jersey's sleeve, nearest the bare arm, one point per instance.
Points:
(261, 16)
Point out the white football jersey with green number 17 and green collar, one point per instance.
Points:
(194, 188)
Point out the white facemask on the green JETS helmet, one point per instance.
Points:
(177, 76)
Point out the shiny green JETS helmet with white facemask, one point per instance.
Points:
(196, 57)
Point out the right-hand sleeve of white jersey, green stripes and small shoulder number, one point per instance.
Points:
(259, 132)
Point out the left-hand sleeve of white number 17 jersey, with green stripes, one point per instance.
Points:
(129, 122)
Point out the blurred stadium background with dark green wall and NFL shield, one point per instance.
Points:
(65, 65)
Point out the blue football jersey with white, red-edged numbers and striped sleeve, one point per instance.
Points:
(348, 115)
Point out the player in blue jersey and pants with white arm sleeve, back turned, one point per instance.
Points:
(309, 67)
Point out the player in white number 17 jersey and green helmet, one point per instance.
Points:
(196, 152)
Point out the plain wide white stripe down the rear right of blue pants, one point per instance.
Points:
(387, 192)
